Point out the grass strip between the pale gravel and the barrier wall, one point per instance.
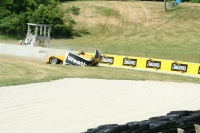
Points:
(17, 70)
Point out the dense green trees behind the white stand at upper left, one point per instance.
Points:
(16, 13)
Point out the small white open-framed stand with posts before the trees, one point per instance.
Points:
(41, 32)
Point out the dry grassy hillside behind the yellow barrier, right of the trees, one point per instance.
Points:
(137, 28)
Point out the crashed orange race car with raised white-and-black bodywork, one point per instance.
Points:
(80, 59)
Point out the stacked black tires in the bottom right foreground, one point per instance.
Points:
(166, 124)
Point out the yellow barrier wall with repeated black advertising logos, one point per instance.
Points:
(150, 64)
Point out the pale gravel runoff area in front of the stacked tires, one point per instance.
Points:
(74, 105)
